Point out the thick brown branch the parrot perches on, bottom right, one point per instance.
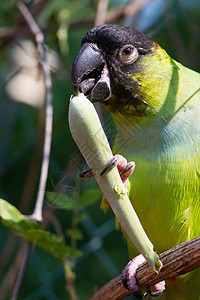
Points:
(176, 261)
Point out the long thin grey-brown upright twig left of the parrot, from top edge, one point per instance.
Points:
(37, 214)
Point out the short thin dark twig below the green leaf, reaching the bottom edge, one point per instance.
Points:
(22, 270)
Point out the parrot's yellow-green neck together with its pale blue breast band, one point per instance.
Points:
(169, 124)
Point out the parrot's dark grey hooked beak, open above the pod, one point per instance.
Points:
(90, 74)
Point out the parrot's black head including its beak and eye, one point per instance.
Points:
(105, 66)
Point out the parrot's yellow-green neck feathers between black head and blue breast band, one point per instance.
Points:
(163, 87)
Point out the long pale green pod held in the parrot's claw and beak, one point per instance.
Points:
(89, 136)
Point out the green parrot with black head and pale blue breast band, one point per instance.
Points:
(155, 103)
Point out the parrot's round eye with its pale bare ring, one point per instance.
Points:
(127, 54)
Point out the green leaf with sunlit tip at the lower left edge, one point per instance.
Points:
(34, 233)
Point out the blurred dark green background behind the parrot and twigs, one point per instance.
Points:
(175, 25)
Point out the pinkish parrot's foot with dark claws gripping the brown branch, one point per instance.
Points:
(129, 279)
